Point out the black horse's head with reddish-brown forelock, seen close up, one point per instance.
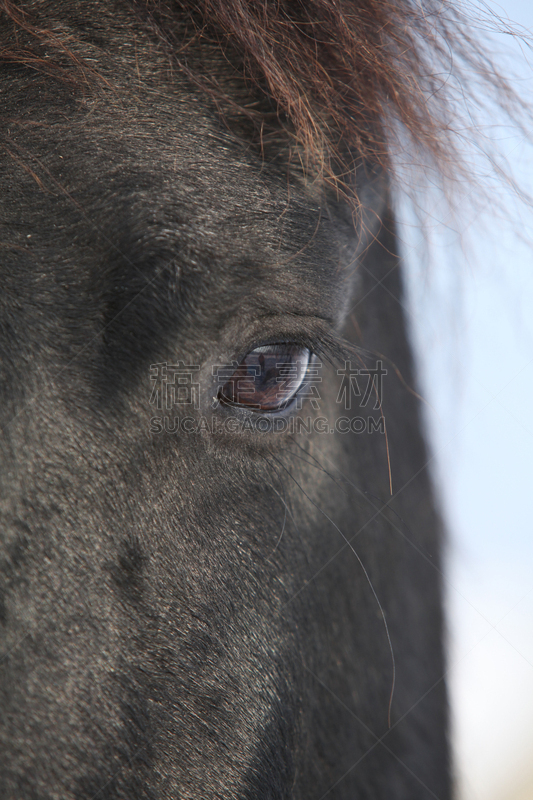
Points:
(221, 556)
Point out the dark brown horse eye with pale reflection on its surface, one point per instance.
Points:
(268, 378)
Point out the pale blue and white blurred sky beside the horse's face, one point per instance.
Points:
(473, 326)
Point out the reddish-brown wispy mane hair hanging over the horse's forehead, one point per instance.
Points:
(337, 71)
